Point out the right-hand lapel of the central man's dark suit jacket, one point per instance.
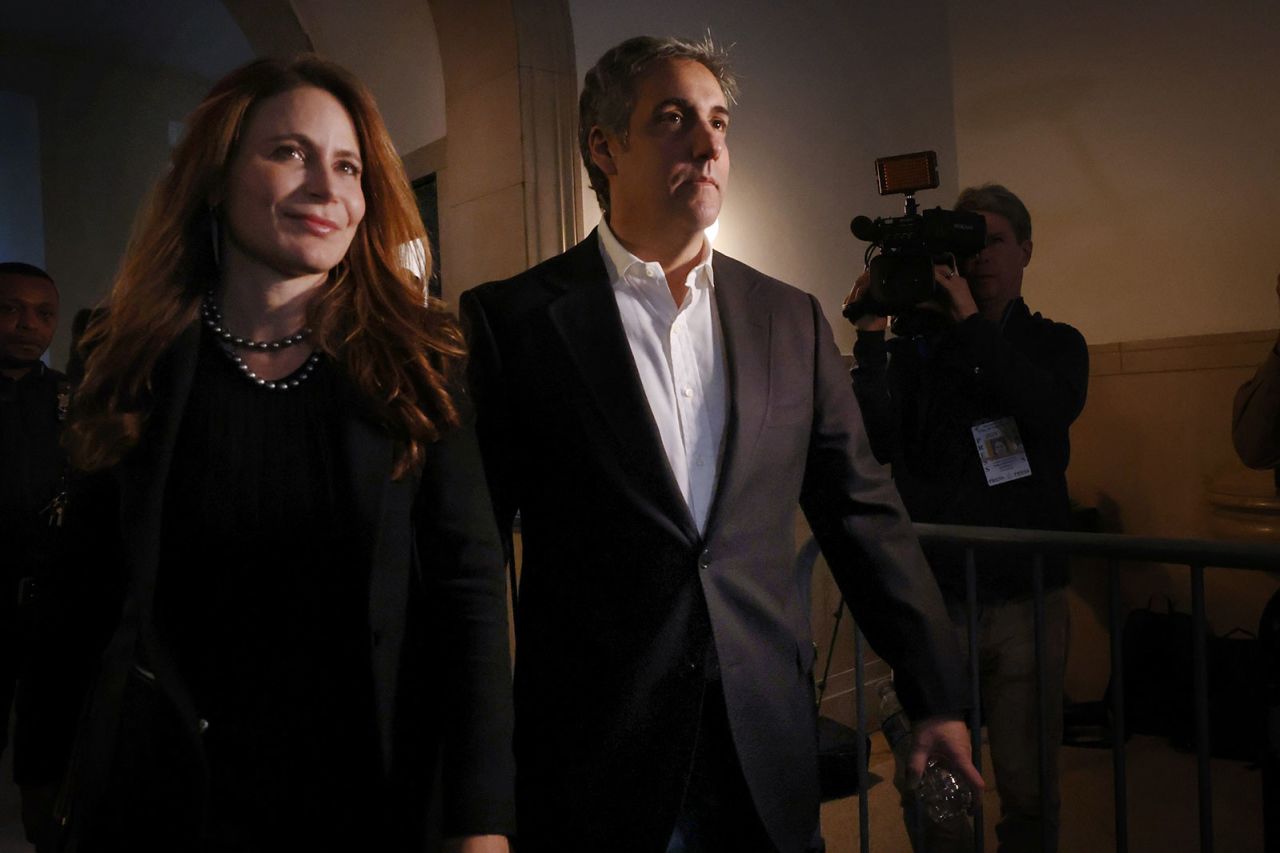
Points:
(747, 336)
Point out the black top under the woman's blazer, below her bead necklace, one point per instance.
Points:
(266, 606)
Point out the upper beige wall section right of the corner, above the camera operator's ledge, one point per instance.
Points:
(1145, 142)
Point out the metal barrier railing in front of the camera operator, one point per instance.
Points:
(1197, 555)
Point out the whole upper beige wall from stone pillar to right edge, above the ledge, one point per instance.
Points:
(1140, 138)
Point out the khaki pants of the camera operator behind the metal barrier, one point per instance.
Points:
(1007, 665)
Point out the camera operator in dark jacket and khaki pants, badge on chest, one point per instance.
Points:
(971, 404)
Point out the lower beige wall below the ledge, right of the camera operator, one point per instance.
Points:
(1154, 443)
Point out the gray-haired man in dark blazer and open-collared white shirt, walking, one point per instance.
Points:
(656, 413)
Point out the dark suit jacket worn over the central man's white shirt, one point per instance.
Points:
(624, 603)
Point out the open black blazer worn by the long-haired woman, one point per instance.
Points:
(438, 637)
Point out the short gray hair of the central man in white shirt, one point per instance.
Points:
(610, 90)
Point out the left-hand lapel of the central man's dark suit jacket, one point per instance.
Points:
(591, 329)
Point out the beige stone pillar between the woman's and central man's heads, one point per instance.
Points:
(504, 175)
